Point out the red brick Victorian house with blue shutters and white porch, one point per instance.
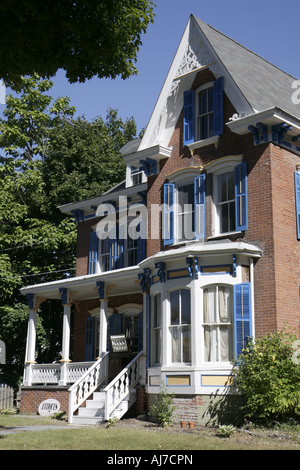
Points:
(195, 252)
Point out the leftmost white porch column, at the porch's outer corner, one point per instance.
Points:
(34, 303)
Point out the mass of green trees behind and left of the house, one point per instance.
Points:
(47, 158)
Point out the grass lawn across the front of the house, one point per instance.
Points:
(123, 437)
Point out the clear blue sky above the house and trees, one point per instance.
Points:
(268, 27)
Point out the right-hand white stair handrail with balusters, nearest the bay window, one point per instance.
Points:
(117, 390)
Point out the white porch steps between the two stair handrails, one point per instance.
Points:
(93, 411)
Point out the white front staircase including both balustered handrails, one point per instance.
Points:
(89, 406)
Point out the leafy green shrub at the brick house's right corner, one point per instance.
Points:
(269, 379)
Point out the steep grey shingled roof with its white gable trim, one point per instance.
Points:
(251, 83)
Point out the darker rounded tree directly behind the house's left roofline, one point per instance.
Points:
(83, 158)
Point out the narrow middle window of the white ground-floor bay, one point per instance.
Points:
(180, 325)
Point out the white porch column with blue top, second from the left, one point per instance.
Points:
(65, 352)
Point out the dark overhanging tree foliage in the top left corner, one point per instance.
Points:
(85, 38)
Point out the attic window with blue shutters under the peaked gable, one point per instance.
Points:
(203, 113)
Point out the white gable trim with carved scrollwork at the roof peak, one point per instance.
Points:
(194, 52)
